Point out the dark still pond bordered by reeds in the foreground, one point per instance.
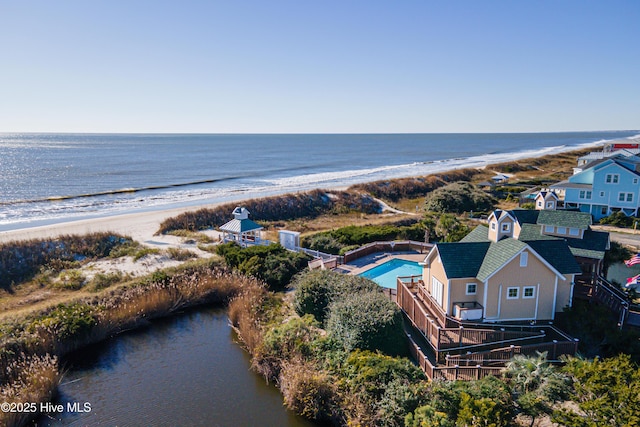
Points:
(183, 370)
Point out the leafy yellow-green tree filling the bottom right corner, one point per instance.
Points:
(607, 392)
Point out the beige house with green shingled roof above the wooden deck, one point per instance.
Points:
(501, 278)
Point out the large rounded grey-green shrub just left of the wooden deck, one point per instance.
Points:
(367, 321)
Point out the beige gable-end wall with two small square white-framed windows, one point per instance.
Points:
(536, 275)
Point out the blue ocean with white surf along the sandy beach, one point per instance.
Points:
(49, 178)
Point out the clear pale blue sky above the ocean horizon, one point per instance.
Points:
(328, 66)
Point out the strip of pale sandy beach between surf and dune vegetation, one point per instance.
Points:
(143, 225)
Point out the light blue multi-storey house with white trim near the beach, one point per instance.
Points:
(604, 186)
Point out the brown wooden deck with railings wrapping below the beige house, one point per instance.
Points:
(465, 350)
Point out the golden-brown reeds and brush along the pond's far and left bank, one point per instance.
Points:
(30, 345)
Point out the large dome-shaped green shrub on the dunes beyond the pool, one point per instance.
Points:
(459, 197)
